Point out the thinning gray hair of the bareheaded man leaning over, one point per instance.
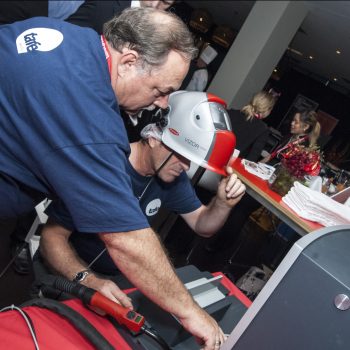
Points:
(152, 33)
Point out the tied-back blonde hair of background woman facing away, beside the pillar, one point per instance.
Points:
(261, 103)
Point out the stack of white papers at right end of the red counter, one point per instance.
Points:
(316, 206)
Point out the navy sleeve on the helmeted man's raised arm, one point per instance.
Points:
(181, 197)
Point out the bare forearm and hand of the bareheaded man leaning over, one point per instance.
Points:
(155, 278)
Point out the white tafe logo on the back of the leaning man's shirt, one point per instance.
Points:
(38, 39)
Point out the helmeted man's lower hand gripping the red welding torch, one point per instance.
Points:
(109, 289)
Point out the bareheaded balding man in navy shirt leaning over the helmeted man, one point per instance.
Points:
(61, 135)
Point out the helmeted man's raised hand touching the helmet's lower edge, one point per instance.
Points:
(230, 189)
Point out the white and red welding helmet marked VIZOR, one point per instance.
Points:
(198, 127)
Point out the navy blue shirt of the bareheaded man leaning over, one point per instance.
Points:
(60, 127)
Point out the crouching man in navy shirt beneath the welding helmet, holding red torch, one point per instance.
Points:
(159, 179)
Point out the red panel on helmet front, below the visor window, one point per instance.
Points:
(225, 142)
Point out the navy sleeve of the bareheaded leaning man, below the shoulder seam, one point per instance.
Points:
(93, 184)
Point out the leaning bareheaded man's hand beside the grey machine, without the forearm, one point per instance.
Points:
(205, 329)
